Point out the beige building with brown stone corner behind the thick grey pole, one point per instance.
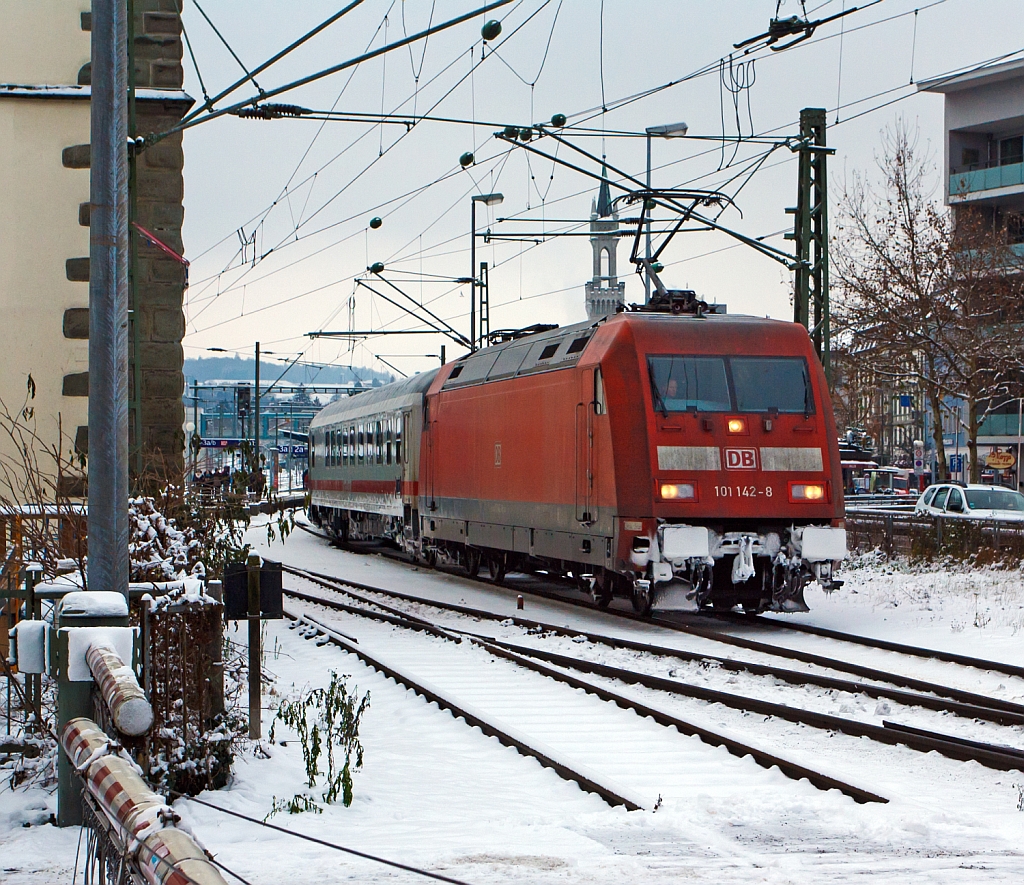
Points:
(45, 228)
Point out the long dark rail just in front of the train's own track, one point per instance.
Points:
(933, 700)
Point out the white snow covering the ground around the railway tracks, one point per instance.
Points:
(440, 795)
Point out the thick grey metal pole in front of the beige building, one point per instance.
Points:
(108, 466)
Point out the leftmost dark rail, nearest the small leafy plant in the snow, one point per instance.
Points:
(472, 720)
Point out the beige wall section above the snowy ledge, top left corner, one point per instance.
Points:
(25, 59)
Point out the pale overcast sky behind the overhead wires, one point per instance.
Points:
(308, 190)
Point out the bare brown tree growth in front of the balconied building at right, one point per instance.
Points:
(927, 301)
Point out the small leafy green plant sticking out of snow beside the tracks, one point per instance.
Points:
(327, 722)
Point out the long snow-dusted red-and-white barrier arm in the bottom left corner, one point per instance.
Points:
(165, 855)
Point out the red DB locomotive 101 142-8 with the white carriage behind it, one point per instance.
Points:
(685, 460)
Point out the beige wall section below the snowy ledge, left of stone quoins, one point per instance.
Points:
(39, 231)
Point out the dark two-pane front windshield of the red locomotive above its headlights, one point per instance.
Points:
(732, 385)
